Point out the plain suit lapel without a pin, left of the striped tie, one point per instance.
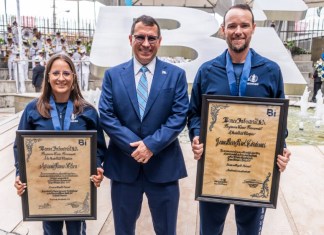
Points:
(128, 77)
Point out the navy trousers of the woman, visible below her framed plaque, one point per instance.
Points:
(72, 227)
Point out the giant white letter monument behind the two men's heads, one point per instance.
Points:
(194, 34)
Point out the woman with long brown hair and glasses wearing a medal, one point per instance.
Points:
(61, 97)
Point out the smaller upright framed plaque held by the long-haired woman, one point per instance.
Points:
(56, 166)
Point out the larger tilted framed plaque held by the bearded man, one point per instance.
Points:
(242, 138)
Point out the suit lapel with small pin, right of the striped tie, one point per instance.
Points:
(159, 77)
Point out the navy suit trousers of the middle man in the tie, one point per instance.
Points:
(163, 200)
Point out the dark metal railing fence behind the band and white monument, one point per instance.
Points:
(300, 33)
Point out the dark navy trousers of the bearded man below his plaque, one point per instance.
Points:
(249, 220)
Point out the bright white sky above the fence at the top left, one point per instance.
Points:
(44, 8)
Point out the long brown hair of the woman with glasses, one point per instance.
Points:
(43, 105)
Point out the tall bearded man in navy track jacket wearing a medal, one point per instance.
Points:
(239, 71)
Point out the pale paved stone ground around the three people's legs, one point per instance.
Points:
(300, 208)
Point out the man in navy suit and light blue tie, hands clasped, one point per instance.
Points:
(143, 108)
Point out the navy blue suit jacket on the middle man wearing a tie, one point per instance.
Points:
(163, 120)
